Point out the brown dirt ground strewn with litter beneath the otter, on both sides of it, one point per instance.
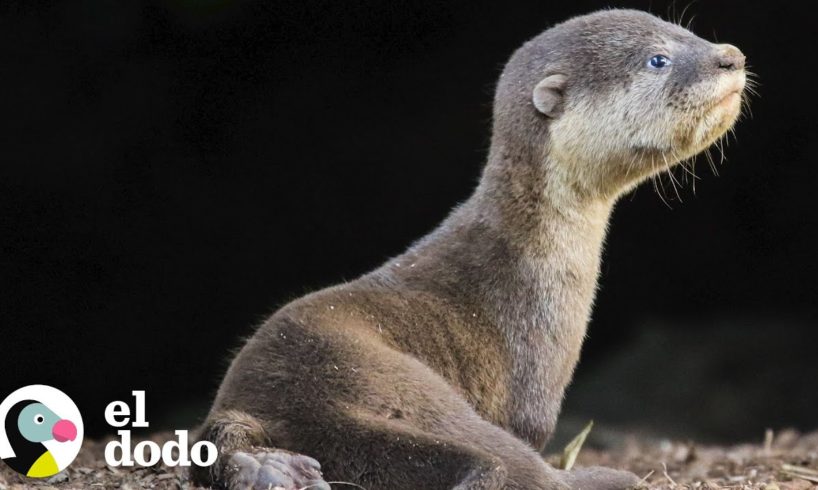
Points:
(784, 461)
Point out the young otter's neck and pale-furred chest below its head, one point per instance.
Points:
(538, 293)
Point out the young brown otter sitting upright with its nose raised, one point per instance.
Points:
(446, 367)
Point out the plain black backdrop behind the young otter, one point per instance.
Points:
(172, 171)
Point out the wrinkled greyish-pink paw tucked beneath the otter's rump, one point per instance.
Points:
(274, 470)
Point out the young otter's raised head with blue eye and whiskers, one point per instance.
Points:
(617, 96)
